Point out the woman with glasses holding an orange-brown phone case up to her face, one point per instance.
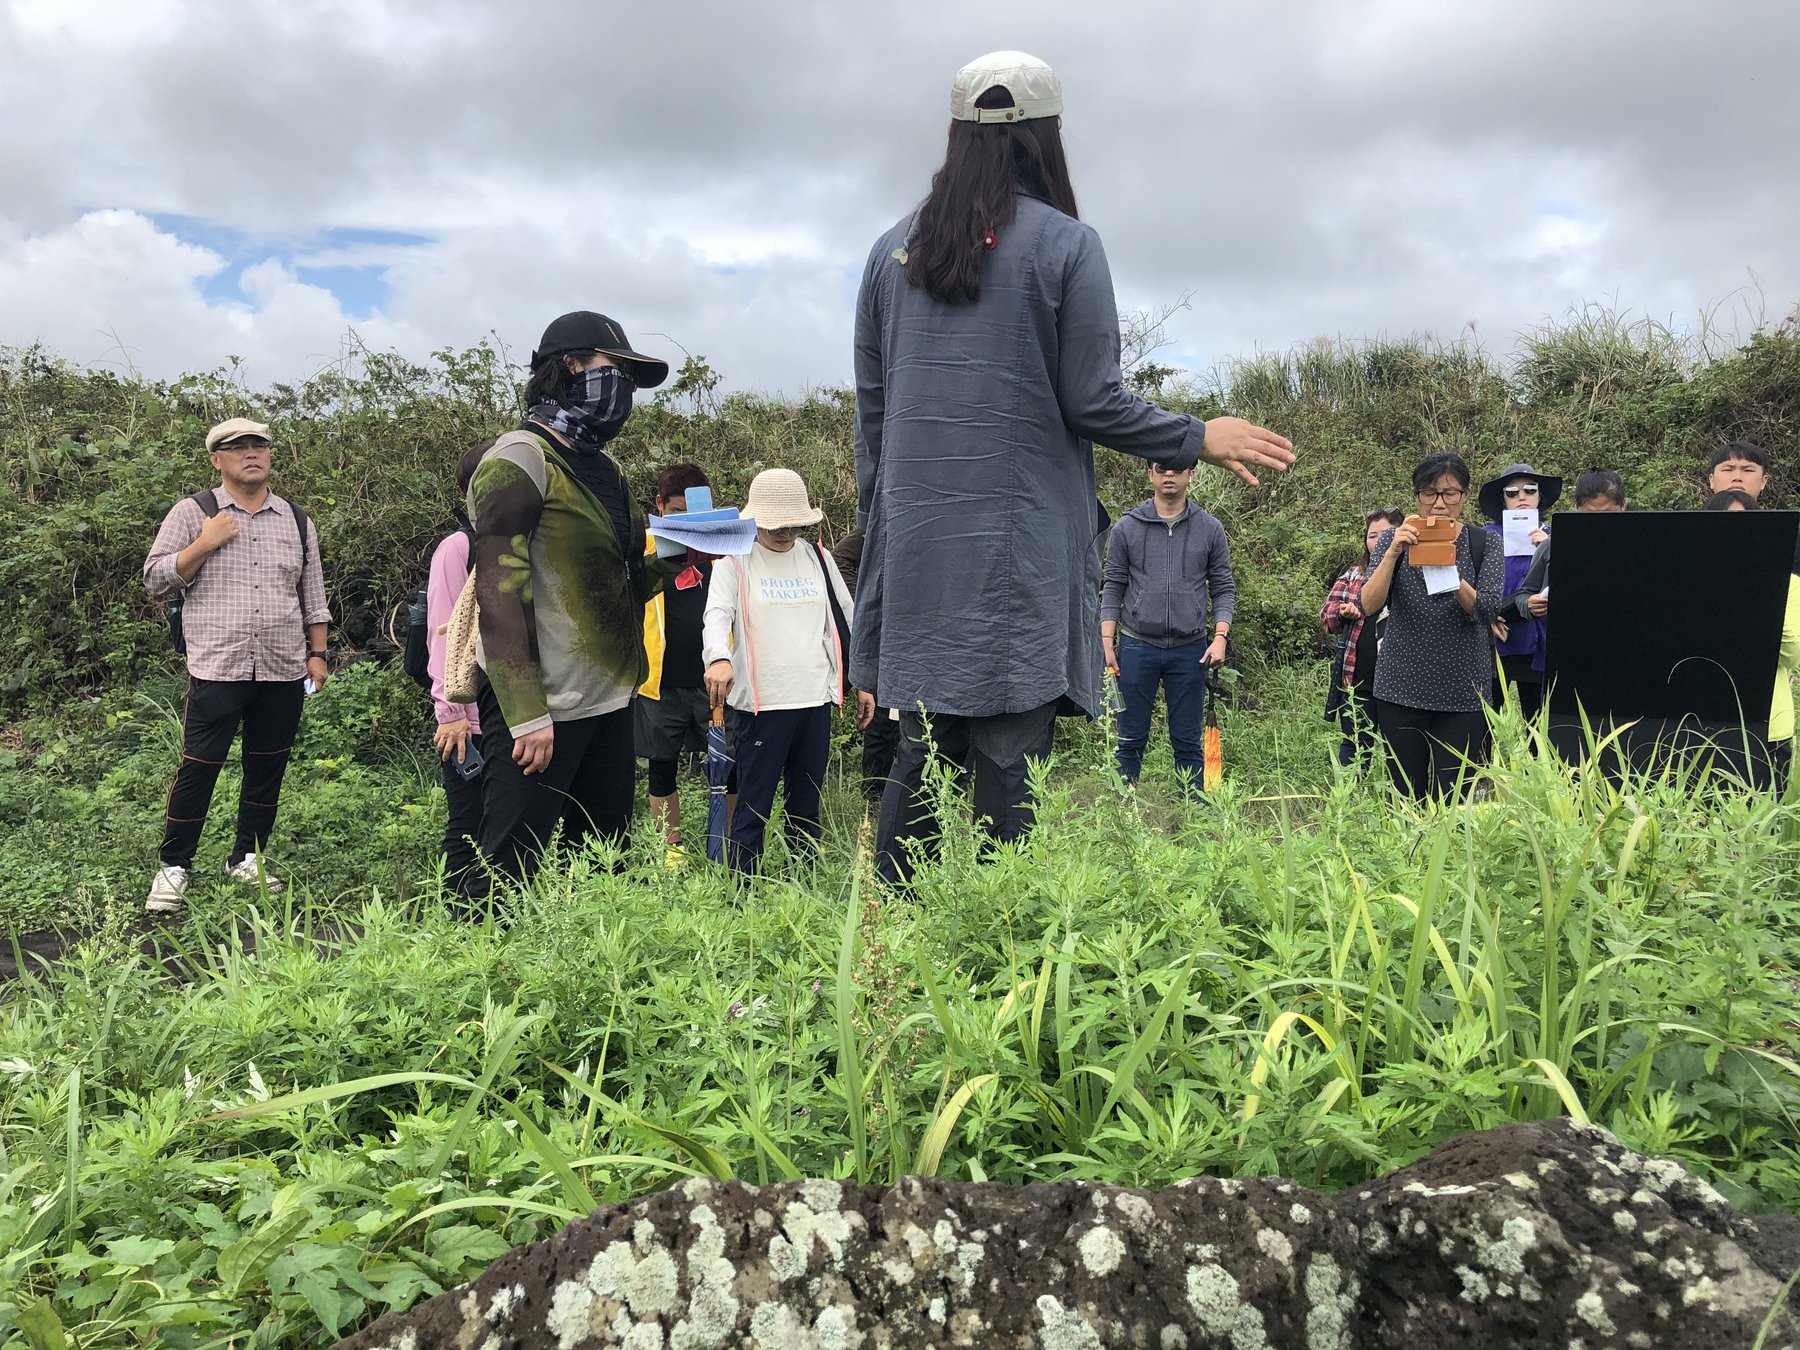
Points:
(1437, 656)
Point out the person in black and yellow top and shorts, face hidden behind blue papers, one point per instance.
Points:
(672, 705)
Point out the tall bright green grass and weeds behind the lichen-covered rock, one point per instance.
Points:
(345, 1106)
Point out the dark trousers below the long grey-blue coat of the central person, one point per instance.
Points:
(996, 750)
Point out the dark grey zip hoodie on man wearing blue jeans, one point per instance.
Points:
(1160, 573)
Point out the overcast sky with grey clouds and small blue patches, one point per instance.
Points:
(183, 183)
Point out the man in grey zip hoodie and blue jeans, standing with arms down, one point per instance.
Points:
(1167, 559)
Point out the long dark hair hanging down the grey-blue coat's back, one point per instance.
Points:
(978, 192)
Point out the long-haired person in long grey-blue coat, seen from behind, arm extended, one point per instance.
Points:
(987, 361)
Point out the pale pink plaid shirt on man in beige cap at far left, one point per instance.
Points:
(247, 609)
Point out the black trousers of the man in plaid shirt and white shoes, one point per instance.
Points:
(211, 715)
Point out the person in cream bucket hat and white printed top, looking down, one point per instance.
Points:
(777, 627)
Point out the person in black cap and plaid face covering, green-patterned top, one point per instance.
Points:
(562, 580)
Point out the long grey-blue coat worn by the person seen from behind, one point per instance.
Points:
(980, 586)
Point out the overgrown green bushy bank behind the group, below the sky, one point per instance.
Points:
(91, 462)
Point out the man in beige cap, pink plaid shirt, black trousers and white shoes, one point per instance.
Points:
(255, 618)
